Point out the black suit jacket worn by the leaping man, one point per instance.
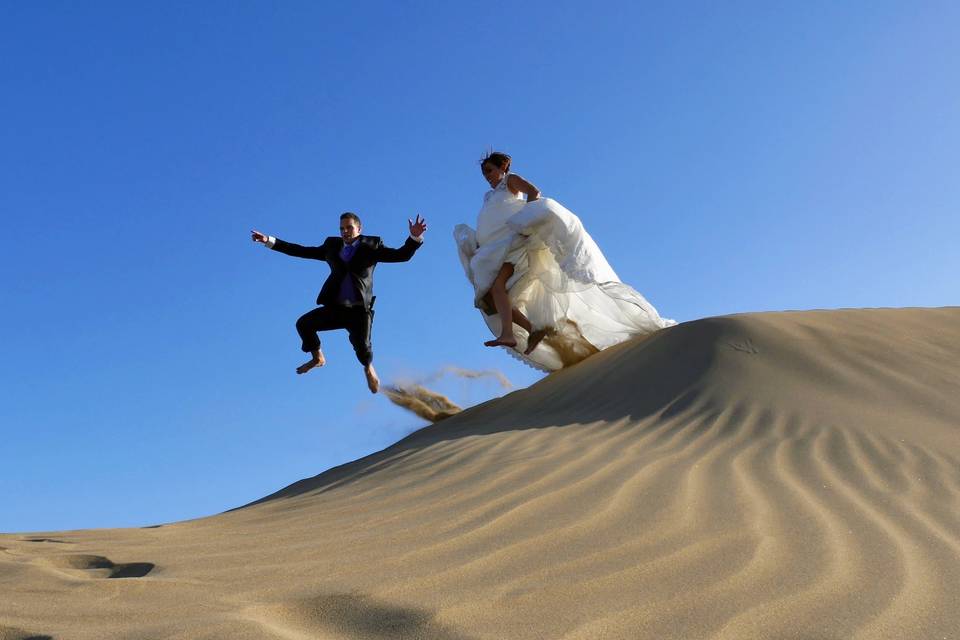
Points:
(360, 268)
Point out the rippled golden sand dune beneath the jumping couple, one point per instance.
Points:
(779, 475)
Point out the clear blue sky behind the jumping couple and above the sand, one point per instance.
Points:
(726, 157)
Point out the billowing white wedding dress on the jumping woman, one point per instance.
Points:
(561, 280)
